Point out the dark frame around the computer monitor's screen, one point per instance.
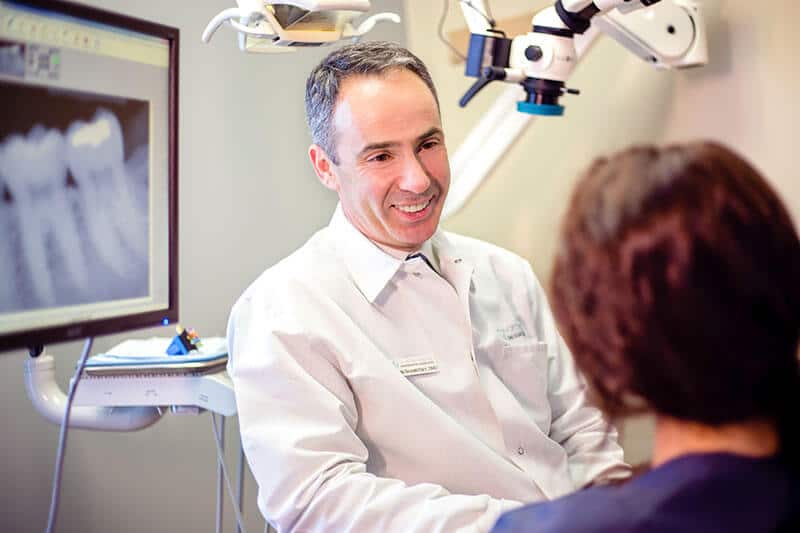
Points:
(37, 337)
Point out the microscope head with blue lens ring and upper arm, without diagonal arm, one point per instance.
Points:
(542, 60)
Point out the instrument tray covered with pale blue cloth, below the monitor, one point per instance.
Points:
(148, 357)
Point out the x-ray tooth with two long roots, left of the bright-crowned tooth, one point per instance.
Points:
(35, 172)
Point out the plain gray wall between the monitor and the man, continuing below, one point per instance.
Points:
(248, 197)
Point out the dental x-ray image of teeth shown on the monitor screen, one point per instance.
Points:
(75, 187)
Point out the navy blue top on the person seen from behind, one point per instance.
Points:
(693, 493)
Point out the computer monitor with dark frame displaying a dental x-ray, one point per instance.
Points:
(88, 173)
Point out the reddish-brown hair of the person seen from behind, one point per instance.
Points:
(677, 286)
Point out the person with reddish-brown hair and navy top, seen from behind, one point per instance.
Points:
(677, 287)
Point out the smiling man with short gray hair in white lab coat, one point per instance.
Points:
(391, 376)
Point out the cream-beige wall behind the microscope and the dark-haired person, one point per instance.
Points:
(746, 97)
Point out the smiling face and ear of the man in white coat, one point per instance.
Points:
(393, 174)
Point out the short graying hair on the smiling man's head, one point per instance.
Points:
(363, 58)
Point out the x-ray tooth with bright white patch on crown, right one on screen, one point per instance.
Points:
(95, 155)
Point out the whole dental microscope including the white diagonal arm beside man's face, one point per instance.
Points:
(535, 67)
